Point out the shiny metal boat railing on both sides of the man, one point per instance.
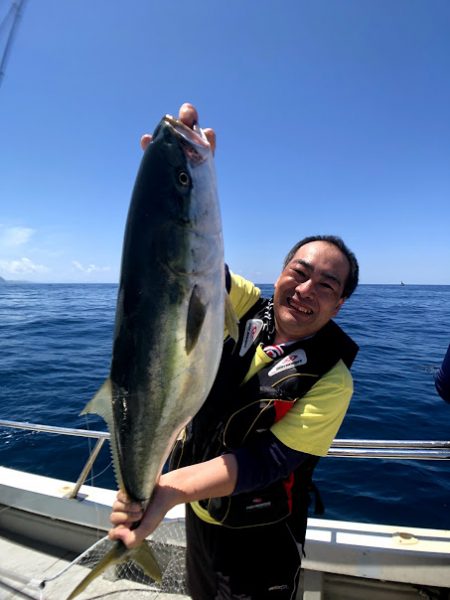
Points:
(340, 448)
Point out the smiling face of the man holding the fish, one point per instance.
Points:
(308, 291)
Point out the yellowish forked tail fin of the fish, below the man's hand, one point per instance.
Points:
(121, 554)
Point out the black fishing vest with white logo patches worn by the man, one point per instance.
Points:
(234, 413)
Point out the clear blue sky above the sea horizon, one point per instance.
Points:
(331, 117)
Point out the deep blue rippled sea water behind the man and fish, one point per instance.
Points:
(55, 347)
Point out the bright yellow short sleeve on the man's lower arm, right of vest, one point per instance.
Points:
(313, 422)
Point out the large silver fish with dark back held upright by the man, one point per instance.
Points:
(169, 319)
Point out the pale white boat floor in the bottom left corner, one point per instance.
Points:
(35, 564)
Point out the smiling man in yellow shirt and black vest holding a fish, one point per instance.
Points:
(244, 466)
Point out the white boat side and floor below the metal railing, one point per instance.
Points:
(42, 530)
